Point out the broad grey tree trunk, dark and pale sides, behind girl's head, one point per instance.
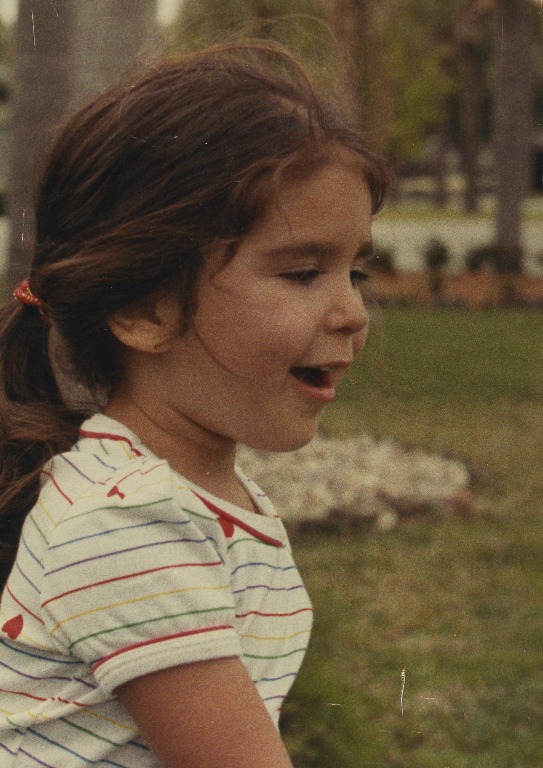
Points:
(65, 52)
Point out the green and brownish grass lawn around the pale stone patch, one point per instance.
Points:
(427, 651)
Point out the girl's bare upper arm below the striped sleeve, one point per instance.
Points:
(203, 715)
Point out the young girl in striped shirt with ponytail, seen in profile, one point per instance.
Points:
(201, 237)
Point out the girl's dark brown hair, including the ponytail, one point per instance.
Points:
(139, 184)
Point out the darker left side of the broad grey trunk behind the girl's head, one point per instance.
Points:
(40, 94)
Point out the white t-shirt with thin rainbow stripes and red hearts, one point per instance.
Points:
(124, 568)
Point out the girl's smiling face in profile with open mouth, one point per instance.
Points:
(278, 325)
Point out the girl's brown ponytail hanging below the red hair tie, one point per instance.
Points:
(34, 422)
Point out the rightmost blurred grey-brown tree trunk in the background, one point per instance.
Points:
(513, 125)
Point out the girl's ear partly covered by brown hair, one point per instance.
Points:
(149, 325)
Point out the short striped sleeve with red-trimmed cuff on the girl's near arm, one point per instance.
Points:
(135, 579)
